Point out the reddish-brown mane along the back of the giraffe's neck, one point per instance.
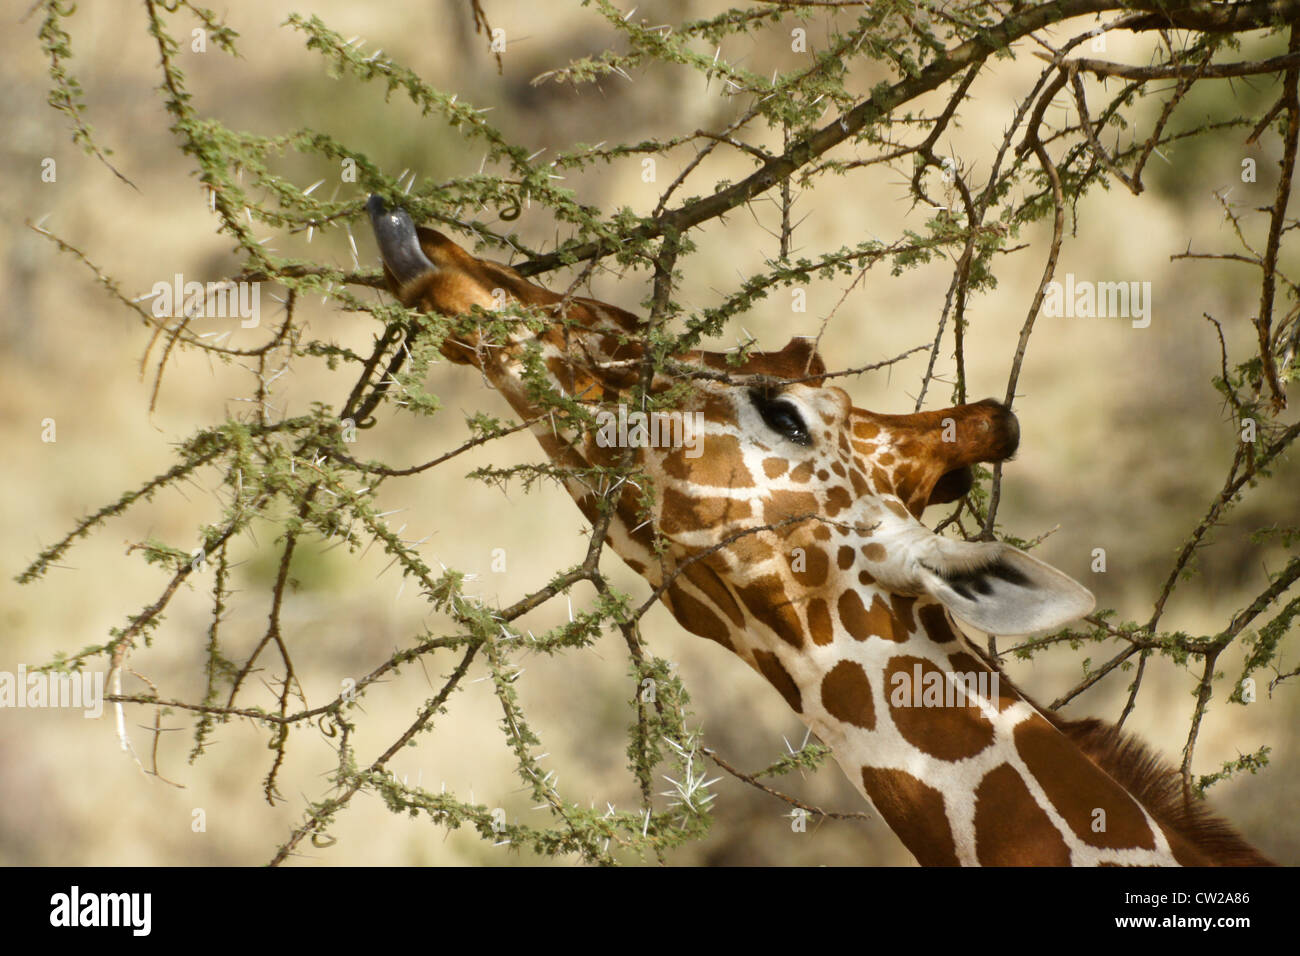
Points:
(1158, 786)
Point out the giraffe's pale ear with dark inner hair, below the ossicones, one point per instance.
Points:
(1002, 590)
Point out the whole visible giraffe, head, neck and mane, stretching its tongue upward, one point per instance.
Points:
(788, 531)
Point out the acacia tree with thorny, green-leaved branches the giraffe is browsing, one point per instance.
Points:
(807, 129)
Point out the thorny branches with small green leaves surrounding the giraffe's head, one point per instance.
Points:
(302, 461)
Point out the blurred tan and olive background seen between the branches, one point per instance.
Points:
(1125, 442)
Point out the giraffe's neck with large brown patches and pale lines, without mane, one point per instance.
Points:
(978, 778)
